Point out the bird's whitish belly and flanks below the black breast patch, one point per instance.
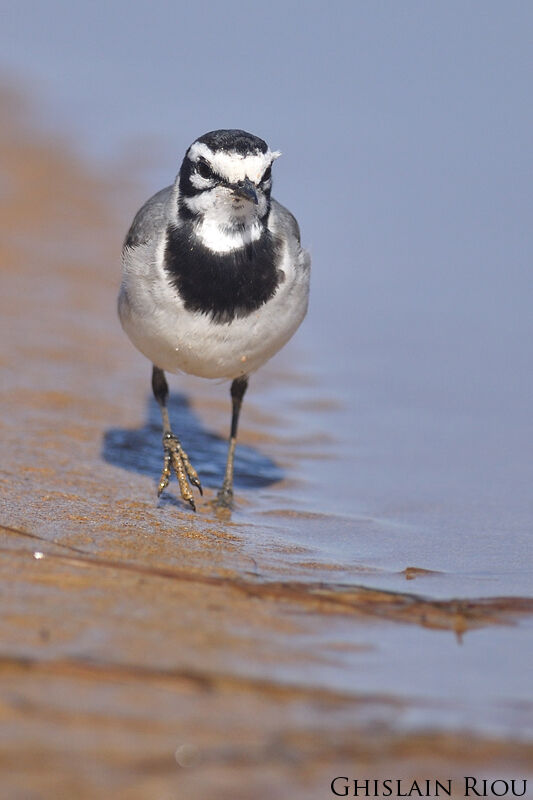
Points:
(178, 340)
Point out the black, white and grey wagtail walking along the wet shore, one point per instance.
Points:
(214, 282)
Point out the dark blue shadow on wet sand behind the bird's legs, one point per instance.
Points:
(140, 449)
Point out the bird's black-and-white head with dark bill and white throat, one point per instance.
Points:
(224, 187)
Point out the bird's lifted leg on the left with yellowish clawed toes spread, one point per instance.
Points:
(174, 456)
